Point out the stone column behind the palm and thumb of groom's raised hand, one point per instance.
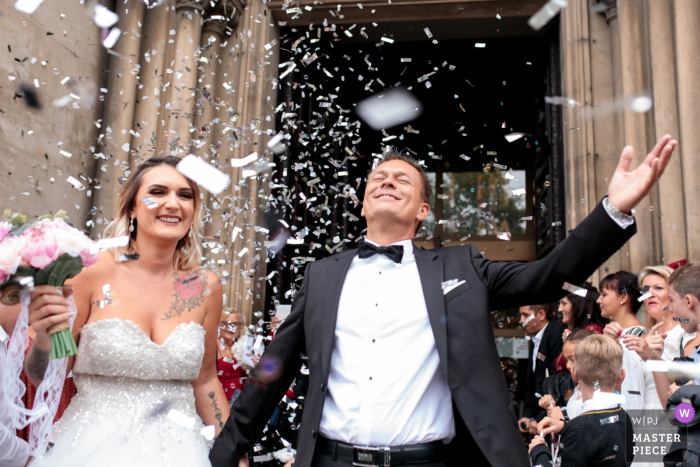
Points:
(644, 247)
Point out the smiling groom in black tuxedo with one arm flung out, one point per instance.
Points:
(401, 352)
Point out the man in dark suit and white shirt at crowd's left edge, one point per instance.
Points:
(546, 344)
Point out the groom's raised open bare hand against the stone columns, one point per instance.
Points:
(627, 189)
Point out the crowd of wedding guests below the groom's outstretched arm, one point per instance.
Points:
(571, 378)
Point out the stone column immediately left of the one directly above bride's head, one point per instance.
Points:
(148, 94)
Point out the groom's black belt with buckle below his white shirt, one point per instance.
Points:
(385, 456)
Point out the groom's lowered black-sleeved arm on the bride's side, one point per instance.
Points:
(266, 385)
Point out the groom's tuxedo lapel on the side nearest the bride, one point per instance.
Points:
(335, 278)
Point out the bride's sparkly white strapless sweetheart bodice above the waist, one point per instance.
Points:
(115, 347)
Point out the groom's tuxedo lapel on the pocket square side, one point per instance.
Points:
(432, 274)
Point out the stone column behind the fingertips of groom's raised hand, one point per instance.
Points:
(670, 215)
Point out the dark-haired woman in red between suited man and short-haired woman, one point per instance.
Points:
(579, 313)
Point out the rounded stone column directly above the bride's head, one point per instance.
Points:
(178, 110)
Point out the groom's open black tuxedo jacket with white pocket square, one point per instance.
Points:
(460, 322)
